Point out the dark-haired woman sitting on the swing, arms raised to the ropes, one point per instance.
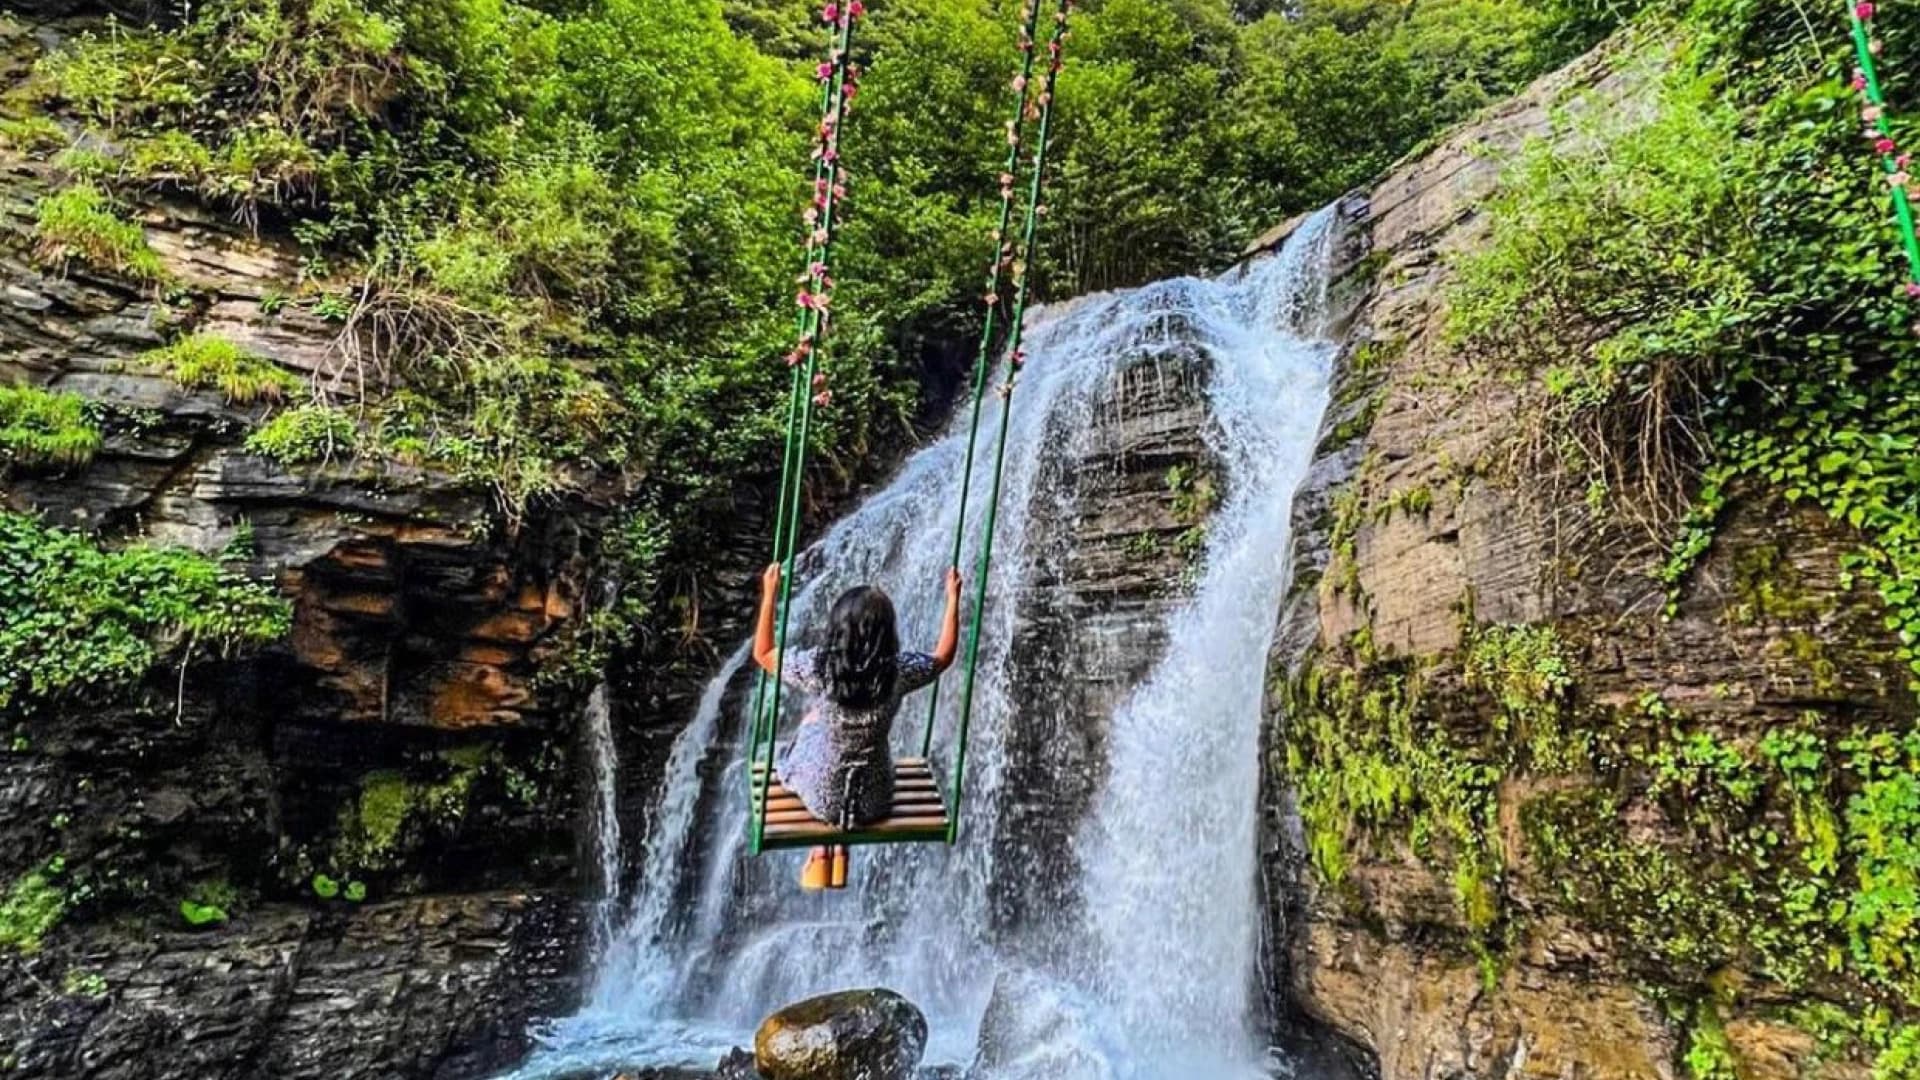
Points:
(840, 764)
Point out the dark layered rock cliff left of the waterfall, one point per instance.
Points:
(381, 808)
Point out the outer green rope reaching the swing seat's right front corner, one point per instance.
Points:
(1015, 326)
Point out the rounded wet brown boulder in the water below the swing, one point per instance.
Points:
(855, 1035)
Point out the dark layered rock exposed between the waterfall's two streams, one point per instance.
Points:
(1120, 529)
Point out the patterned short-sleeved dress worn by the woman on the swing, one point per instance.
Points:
(840, 762)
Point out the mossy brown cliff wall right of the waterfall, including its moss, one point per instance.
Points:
(1527, 820)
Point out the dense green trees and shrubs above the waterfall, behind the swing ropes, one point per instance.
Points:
(577, 224)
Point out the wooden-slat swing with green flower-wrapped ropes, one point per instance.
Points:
(921, 814)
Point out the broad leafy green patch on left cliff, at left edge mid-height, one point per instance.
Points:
(85, 618)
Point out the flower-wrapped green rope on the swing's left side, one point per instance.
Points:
(805, 364)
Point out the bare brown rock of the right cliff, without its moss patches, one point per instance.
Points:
(1385, 958)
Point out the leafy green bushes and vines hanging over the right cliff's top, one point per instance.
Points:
(1727, 255)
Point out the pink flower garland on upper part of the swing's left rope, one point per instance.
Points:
(840, 82)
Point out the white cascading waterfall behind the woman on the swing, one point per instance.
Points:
(1151, 971)
